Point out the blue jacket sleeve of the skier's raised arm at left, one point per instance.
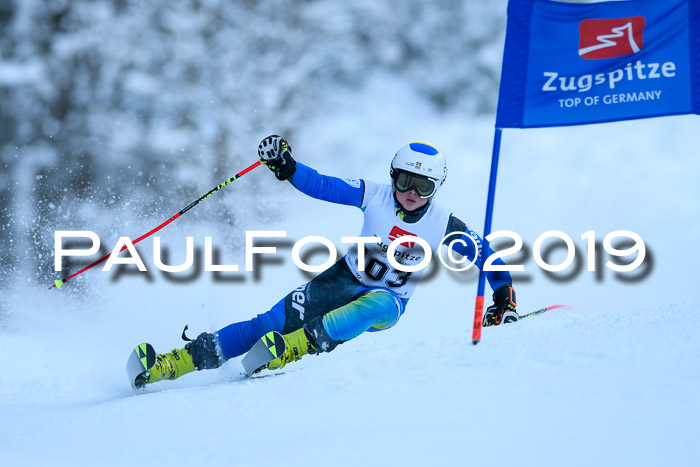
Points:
(335, 190)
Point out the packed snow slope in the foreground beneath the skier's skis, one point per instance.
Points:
(570, 388)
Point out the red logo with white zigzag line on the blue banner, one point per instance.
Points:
(608, 38)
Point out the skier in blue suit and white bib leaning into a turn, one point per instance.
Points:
(346, 300)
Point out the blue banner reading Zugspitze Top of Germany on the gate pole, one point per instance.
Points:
(573, 64)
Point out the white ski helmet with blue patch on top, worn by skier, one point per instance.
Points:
(421, 159)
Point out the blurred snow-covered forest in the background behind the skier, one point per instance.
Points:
(109, 107)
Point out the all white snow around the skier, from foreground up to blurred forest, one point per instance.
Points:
(613, 382)
